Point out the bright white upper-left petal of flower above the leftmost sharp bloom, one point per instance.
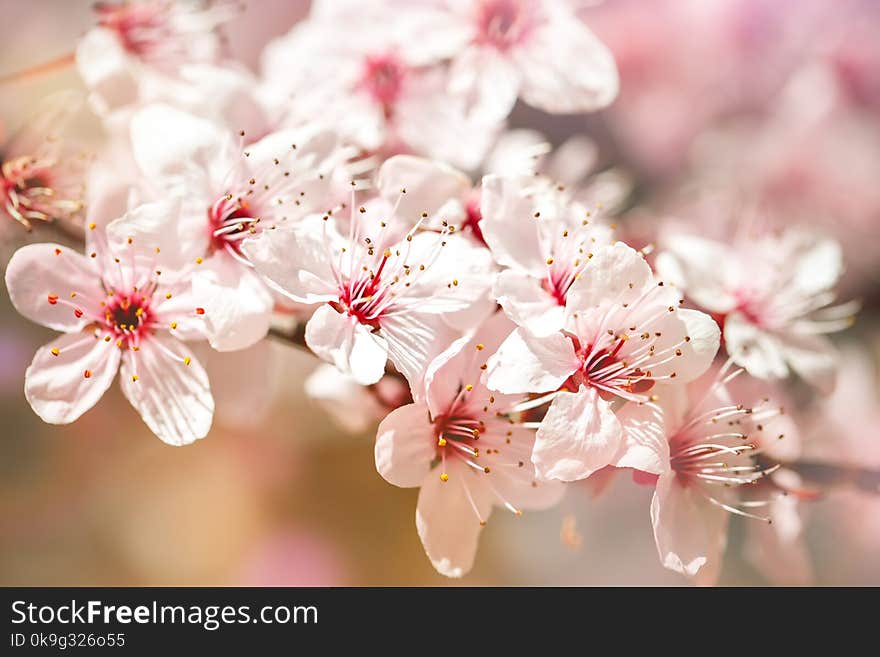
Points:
(167, 141)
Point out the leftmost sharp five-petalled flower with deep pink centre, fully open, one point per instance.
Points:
(123, 307)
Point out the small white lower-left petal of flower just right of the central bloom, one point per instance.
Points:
(527, 303)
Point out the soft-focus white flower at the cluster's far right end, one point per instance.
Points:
(773, 294)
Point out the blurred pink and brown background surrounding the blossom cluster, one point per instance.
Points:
(726, 106)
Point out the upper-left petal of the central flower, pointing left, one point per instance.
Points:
(295, 262)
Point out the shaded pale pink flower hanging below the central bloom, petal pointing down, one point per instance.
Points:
(466, 449)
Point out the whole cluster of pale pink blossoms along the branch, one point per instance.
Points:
(470, 293)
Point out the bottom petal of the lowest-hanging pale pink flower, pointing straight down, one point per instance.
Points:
(449, 517)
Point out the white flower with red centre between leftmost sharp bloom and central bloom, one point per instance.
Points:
(227, 196)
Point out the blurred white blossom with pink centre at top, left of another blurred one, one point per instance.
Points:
(370, 86)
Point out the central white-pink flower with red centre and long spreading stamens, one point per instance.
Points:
(382, 294)
